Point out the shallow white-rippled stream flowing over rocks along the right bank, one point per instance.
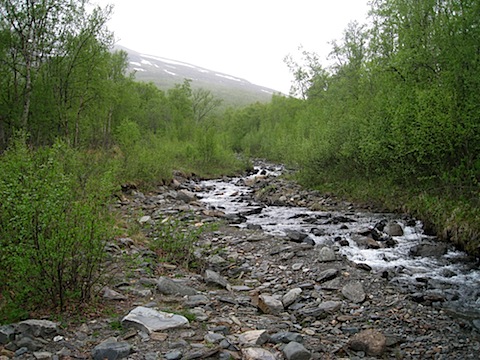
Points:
(450, 280)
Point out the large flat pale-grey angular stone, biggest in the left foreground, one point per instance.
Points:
(150, 320)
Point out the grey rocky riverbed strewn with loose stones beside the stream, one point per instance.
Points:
(254, 294)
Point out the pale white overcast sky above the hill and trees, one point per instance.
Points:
(243, 38)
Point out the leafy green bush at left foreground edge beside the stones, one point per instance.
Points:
(53, 227)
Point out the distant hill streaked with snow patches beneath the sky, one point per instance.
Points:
(165, 73)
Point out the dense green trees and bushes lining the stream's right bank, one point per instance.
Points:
(396, 113)
